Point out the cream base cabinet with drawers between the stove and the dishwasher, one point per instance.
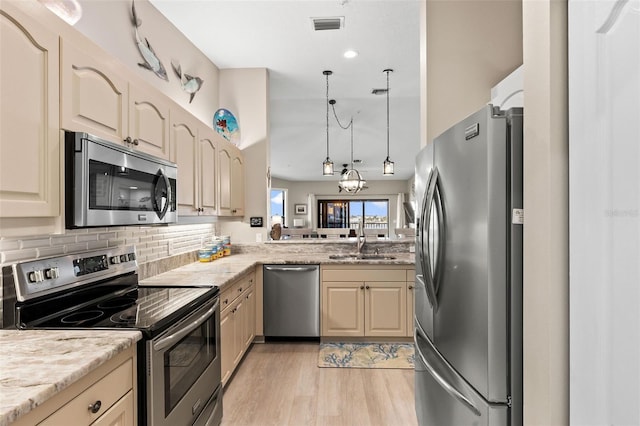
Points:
(237, 323)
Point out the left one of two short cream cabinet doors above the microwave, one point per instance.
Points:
(93, 97)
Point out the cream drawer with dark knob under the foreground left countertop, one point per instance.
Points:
(107, 390)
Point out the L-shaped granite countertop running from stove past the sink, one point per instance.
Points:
(225, 270)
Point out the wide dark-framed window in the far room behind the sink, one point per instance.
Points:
(348, 213)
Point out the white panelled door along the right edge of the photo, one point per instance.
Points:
(604, 65)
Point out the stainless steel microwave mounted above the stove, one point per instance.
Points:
(107, 184)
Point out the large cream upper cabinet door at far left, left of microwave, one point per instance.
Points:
(29, 117)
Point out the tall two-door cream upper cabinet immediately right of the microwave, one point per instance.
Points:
(195, 151)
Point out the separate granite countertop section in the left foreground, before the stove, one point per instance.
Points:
(37, 364)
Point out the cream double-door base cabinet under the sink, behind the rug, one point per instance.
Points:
(359, 301)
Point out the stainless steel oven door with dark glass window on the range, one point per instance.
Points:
(184, 369)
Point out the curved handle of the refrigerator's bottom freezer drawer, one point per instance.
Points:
(439, 369)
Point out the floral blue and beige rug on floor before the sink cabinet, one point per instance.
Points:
(366, 355)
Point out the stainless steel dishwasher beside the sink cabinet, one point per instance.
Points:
(291, 300)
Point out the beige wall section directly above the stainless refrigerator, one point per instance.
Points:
(470, 46)
